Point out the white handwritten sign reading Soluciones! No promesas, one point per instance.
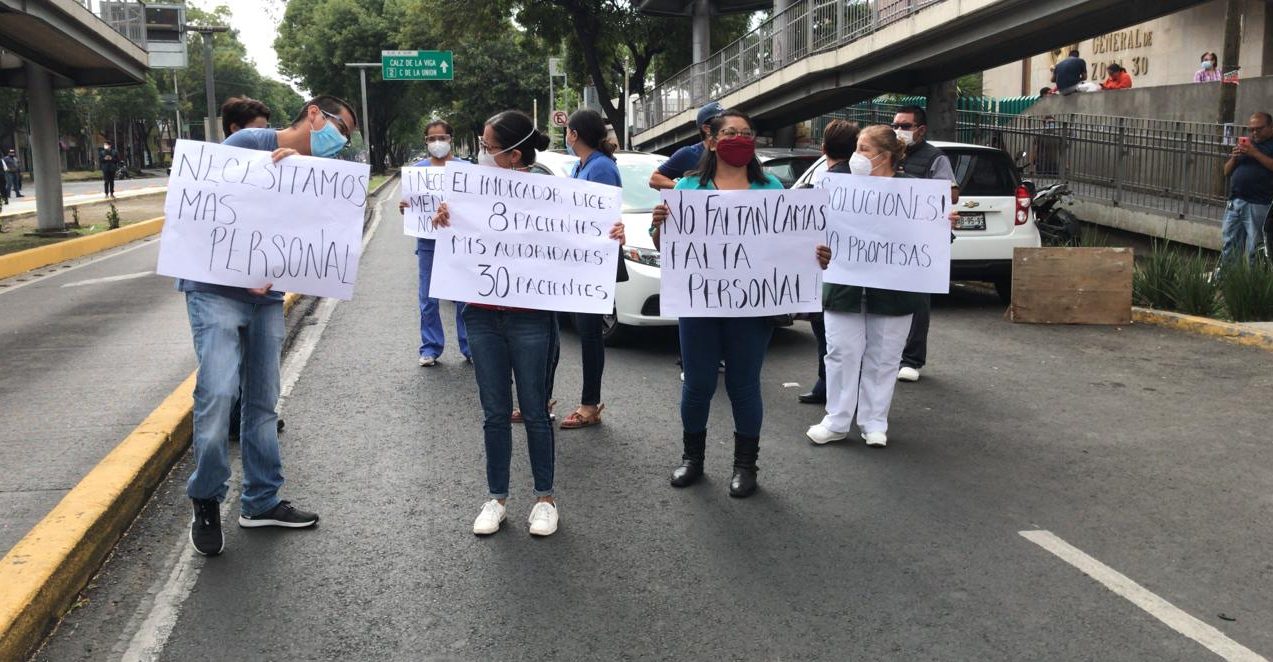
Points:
(889, 232)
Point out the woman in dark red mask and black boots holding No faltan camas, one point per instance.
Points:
(729, 165)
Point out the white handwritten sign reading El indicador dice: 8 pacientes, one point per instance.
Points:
(528, 241)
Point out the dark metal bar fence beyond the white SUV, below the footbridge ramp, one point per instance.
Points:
(1149, 165)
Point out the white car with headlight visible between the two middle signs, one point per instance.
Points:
(637, 299)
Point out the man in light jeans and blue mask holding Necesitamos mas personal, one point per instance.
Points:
(239, 339)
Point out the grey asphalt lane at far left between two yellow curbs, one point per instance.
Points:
(90, 348)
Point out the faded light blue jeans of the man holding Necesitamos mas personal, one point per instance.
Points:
(232, 337)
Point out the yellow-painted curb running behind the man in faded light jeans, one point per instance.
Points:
(44, 574)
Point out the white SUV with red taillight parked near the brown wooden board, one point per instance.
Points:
(995, 215)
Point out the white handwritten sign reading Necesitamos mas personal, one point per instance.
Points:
(232, 217)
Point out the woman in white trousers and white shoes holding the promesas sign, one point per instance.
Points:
(866, 328)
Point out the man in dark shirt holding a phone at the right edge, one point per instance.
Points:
(1251, 190)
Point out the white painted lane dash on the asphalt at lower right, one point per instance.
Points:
(1160, 609)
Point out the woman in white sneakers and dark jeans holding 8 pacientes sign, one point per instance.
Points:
(514, 344)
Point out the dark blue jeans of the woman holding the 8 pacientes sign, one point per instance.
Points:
(515, 346)
